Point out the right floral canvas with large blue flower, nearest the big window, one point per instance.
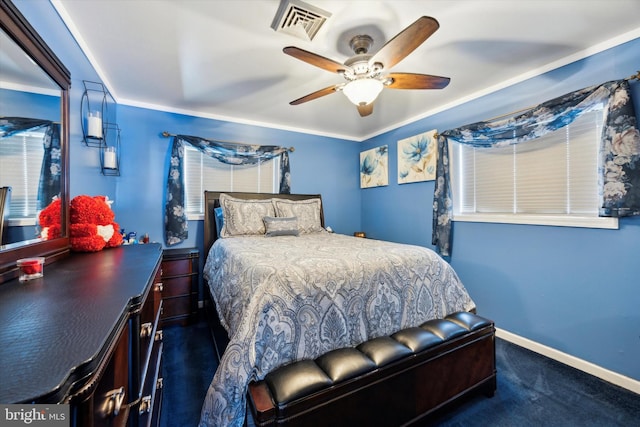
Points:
(417, 158)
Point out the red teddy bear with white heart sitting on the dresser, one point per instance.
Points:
(92, 225)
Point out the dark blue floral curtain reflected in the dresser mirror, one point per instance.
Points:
(50, 173)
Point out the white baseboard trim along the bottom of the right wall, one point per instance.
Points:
(588, 367)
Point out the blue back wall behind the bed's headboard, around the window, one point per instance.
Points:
(319, 165)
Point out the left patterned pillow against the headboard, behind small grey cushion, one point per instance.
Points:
(243, 217)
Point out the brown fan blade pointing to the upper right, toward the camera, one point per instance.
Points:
(405, 42)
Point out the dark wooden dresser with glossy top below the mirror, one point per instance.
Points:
(87, 335)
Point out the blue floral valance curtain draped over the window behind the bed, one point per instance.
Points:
(175, 220)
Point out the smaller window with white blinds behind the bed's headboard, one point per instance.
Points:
(205, 173)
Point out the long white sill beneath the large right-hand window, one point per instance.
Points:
(557, 221)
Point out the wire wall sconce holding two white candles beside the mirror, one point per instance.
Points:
(99, 128)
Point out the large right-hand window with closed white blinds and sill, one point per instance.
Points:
(551, 180)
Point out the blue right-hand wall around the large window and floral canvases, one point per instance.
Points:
(572, 289)
